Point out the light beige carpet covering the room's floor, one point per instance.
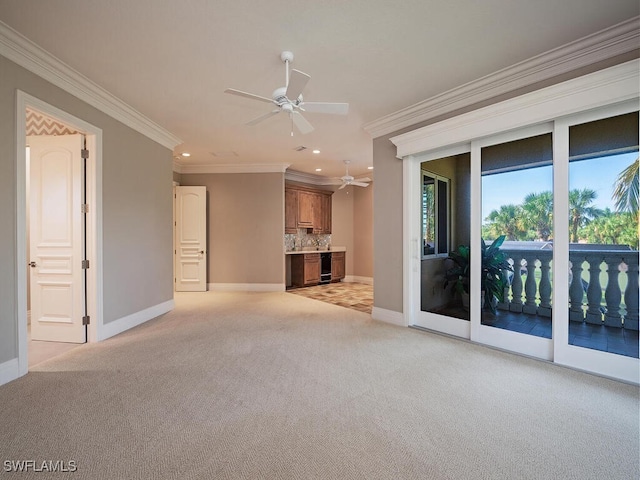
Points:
(277, 386)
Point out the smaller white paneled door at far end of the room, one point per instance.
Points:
(191, 239)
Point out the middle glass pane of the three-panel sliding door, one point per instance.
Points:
(517, 236)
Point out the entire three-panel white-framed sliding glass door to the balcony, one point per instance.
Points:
(529, 241)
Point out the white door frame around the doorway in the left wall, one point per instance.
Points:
(94, 220)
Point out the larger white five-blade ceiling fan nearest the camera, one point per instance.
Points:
(289, 99)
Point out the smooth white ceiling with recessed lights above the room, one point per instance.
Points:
(172, 60)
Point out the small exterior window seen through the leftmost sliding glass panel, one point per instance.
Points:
(435, 214)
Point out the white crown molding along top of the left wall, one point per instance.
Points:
(27, 54)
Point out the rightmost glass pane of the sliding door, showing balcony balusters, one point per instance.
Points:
(603, 235)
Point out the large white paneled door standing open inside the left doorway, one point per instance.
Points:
(56, 239)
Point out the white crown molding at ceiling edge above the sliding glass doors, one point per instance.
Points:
(605, 44)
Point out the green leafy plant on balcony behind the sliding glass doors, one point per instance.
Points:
(494, 267)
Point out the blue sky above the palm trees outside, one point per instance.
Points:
(598, 174)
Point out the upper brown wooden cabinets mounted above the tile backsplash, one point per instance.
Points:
(308, 208)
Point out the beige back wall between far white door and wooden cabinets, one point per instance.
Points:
(245, 225)
